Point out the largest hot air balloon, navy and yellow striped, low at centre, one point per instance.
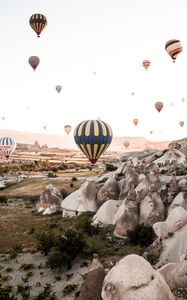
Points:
(93, 137)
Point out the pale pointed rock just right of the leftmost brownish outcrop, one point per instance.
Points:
(82, 200)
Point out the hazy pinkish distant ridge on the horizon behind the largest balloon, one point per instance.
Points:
(67, 141)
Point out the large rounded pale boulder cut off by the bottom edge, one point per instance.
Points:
(133, 278)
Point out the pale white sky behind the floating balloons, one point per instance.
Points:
(94, 49)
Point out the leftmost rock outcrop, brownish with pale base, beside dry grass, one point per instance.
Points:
(50, 200)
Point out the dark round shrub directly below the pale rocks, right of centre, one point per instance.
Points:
(141, 235)
